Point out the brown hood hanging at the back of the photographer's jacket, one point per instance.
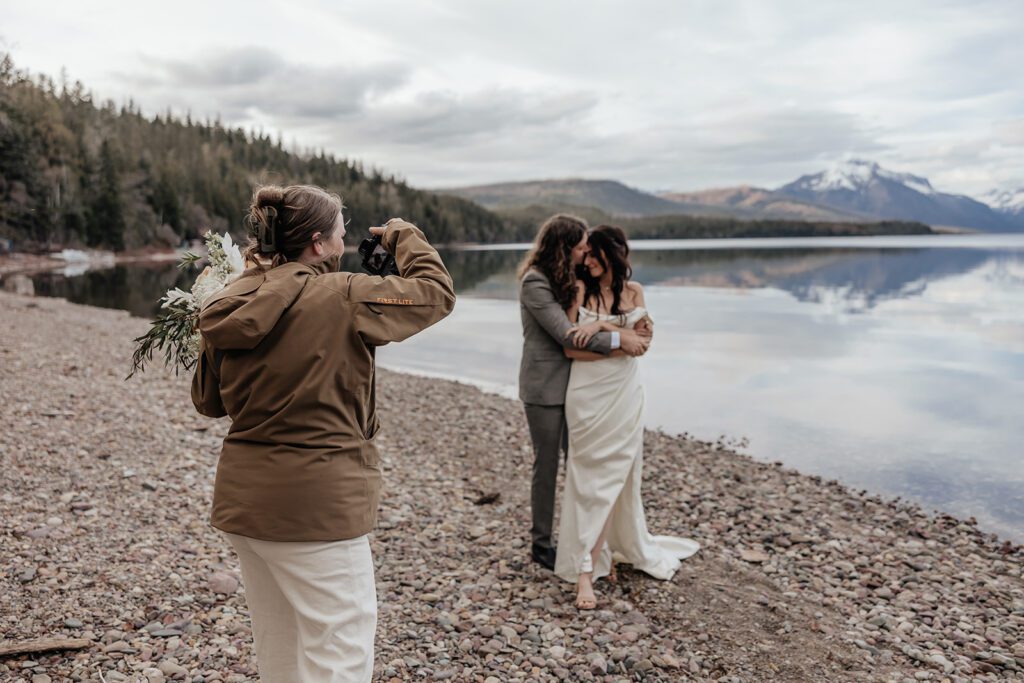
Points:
(244, 313)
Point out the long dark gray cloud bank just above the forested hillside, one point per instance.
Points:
(253, 83)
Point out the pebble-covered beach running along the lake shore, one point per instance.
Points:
(110, 572)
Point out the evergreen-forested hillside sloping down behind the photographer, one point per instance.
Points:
(75, 174)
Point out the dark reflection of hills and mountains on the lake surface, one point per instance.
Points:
(851, 279)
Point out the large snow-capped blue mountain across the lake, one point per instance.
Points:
(865, 188)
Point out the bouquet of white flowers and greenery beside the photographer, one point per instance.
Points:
(176, 330)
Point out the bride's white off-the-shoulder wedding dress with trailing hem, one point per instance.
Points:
(605, 411)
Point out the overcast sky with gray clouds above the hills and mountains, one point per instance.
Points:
(662, 96)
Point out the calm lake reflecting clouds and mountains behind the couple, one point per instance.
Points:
(894, 365)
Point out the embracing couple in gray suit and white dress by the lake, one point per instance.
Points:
(584, 326)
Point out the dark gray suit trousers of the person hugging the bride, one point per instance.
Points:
(550, 437)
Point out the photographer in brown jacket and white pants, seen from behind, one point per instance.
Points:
(288, 354)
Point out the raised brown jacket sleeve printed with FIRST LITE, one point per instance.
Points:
(394, 309)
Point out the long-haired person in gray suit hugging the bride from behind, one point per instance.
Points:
(546, 290)
